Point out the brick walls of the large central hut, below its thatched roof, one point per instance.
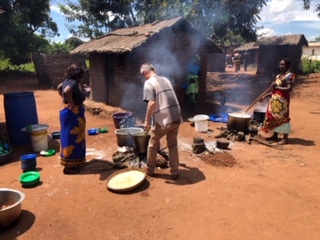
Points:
(116, 79)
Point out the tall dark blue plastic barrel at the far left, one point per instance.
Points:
(20, 111)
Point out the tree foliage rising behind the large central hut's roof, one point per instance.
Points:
(216, 18)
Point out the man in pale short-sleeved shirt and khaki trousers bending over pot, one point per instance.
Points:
(164, 110)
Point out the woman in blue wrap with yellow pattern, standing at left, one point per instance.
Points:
(72, 121)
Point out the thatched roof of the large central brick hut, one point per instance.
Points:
(127, 39)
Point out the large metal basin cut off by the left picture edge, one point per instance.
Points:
(10, 204)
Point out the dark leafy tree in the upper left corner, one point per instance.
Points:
(23, 25)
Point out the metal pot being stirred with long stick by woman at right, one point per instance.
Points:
(238, 122)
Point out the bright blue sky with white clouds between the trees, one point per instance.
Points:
(279, 17)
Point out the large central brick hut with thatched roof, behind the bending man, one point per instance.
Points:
(115, 60)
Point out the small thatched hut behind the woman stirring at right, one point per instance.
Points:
(272, 49)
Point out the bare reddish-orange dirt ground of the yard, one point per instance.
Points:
(268, 193)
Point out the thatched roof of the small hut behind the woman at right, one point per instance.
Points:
(298, 39)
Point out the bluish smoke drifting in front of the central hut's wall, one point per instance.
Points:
(170, 54)
